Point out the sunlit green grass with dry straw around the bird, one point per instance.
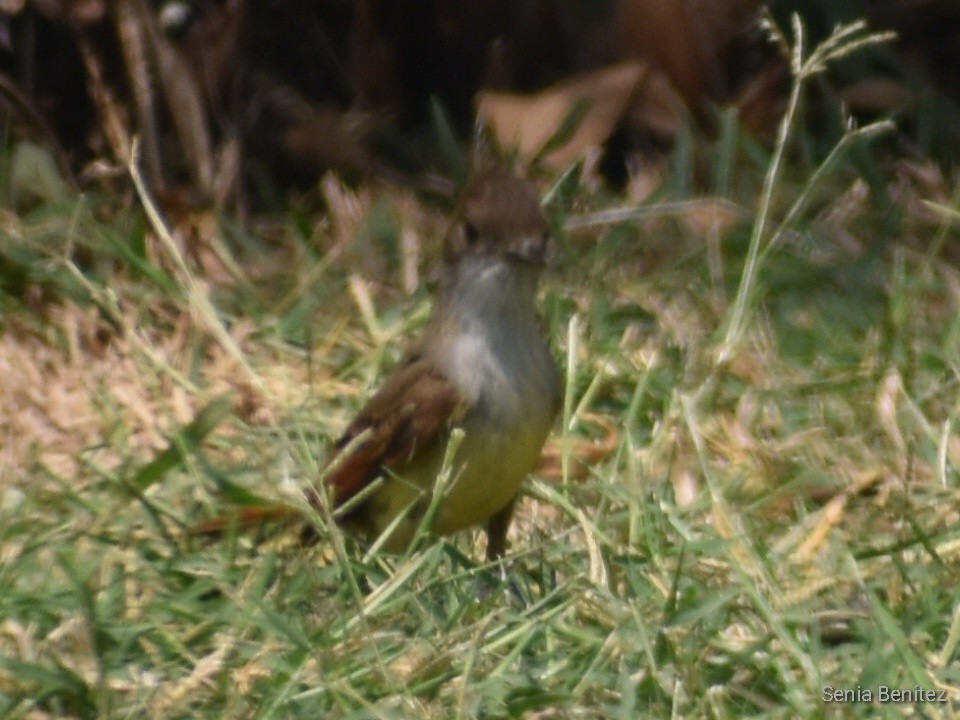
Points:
(778, 514)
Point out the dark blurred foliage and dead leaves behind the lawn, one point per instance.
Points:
(237, 103)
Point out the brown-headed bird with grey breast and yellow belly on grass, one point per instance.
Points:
(482, 365)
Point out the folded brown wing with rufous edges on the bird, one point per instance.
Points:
(405, 416)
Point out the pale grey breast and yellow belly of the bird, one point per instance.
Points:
(506, 374)
